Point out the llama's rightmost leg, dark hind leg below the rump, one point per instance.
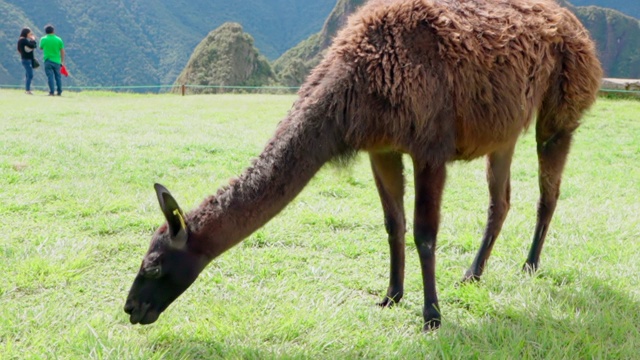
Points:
(553, 148)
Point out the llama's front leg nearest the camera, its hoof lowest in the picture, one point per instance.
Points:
(429, 184)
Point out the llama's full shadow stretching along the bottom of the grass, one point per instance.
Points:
(576, 317)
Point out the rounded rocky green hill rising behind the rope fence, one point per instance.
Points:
(227, 56)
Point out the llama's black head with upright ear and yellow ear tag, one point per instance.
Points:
(168, 268)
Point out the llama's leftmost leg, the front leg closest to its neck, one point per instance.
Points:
(388, 174)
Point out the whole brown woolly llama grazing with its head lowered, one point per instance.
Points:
(440, 80)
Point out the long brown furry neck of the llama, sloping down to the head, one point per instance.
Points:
(291, 158)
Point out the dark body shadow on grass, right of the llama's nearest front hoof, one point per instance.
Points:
(585, 318)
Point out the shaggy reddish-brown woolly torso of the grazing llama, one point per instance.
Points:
(453, 78)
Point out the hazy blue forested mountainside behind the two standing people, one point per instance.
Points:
(133, 42)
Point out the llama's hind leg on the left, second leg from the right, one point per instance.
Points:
(498, 178)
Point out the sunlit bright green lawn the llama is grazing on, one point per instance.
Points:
(77, 210)
